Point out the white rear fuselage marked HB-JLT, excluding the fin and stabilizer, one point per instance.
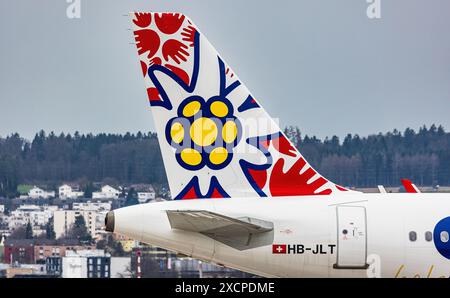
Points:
(353, 235)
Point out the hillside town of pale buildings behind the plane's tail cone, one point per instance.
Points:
(60, 233)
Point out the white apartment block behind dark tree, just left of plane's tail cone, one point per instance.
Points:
(64, 219)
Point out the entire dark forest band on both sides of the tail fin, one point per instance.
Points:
(49, 159)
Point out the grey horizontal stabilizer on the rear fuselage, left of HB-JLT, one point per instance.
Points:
(240, 233)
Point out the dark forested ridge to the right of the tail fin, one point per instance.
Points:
(423, 156)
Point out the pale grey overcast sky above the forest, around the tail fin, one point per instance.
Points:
(319, 64)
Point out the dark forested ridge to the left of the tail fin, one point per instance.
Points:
(83, 158)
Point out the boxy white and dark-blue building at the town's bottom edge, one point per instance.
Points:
(86, 264)
